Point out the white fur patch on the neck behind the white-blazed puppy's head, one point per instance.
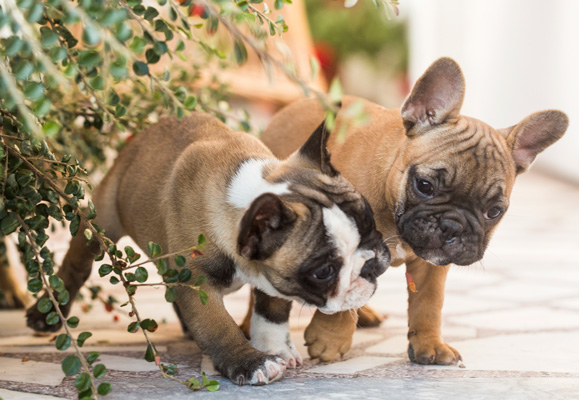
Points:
(248, 184)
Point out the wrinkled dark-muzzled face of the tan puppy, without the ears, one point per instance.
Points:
(455, 194)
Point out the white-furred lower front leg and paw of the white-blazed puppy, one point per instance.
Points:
(274, 339)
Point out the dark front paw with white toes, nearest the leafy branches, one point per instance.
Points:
(260, 369)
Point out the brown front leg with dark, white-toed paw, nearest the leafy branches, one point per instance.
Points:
(221, 339)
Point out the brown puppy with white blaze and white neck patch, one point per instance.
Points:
(294, 230)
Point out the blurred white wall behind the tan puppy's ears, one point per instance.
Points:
(518, 57)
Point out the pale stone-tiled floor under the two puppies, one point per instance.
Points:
(514, 317)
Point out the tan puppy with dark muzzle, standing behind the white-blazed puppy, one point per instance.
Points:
(438, 182)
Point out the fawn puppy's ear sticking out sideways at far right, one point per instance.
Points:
(533, 135)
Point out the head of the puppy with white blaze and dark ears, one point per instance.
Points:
(311, 236)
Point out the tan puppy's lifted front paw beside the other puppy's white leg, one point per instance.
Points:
(330, 335)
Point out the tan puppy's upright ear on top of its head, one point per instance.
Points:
(436, 97)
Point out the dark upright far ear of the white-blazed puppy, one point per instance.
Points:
(314, 153)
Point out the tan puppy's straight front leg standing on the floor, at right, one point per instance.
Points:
(424, 315)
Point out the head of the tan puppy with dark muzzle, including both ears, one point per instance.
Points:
(454, 174)
